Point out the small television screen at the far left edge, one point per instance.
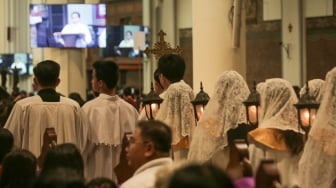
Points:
(20, 61)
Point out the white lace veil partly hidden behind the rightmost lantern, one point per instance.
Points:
(316, 89)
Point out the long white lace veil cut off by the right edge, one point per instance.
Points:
(317, 167)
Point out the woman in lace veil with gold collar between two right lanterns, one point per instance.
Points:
(278, 135)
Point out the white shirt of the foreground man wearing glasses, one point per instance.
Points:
(145, 175)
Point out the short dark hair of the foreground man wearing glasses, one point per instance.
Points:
(157, 132)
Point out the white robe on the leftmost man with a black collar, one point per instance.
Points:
(30, 117)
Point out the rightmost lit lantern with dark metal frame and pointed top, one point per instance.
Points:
(307, 109)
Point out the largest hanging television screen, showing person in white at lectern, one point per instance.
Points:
(67, 25)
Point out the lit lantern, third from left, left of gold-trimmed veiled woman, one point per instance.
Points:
(252, 104)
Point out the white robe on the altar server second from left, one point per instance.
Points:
(110, 118)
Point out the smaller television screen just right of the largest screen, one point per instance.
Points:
(126, 41)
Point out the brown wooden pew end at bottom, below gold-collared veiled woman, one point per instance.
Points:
(268, 175)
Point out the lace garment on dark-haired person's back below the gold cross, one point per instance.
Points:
(177, 111)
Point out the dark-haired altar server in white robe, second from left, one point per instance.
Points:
(110, 118)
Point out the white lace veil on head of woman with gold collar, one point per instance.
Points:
(277, 101)
